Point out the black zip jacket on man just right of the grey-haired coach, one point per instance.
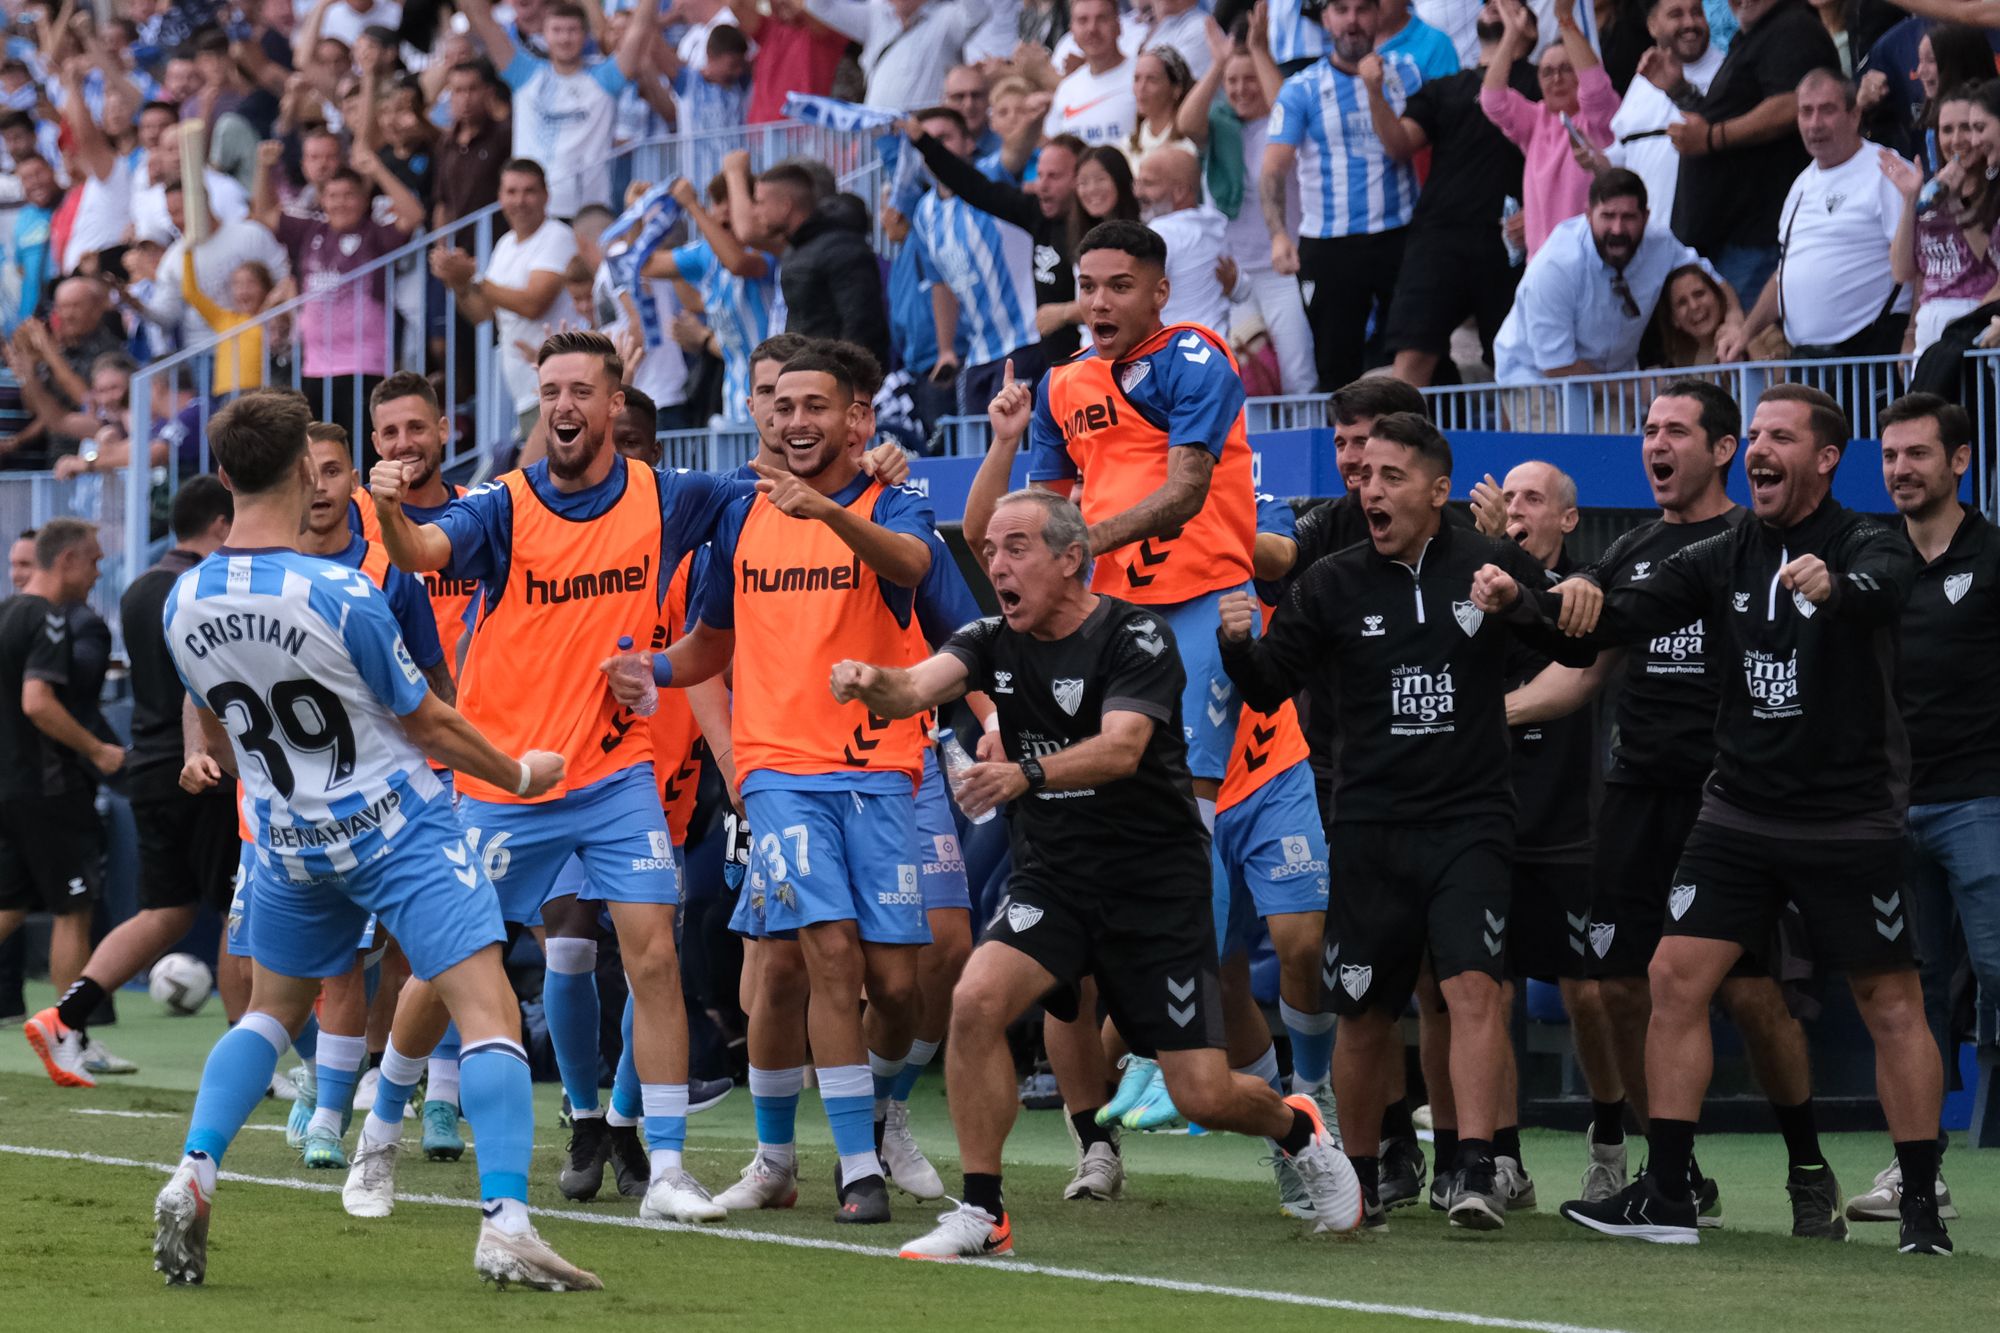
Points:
(1417, 676)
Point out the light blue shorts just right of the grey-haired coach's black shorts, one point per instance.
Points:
(1271, 856)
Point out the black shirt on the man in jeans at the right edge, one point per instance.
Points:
(1945, 684)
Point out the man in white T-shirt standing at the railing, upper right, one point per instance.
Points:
(1835, 291)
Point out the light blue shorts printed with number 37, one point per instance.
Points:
(835, 856)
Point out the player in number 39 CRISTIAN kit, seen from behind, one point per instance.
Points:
(305, 688)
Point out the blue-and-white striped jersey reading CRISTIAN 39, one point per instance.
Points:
(303, 663)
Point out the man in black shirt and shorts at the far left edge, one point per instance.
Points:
(49, 770)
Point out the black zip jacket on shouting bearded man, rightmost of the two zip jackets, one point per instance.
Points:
(1809, 726)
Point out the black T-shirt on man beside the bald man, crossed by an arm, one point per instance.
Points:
(1667, 710)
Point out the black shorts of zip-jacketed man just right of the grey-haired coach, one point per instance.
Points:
(1413, 892)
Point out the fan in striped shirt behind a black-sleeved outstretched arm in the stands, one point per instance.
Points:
(987, 269)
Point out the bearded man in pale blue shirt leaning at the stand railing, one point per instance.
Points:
(1589, 293)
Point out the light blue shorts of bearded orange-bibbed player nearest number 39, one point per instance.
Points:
(615, 828)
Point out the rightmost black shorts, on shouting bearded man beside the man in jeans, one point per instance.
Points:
(1849, 894)
